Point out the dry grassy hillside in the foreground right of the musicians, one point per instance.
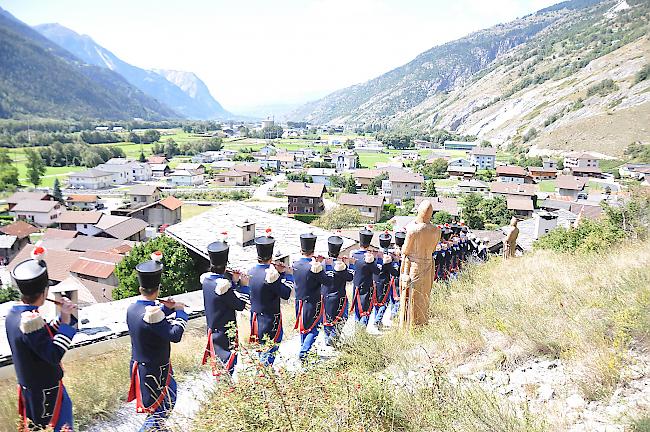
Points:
(587, 313)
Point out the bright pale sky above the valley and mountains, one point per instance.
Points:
(257, 52)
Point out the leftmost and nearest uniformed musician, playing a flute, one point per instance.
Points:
(37, 348)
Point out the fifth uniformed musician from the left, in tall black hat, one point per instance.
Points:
(309, 275)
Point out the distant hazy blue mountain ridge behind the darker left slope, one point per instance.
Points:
(148, 81)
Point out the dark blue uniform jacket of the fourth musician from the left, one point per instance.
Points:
(266, 319)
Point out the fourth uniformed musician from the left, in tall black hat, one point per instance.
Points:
(269, 282)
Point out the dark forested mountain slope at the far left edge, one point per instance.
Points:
(39, 78)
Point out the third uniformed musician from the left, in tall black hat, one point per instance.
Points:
(222, 298)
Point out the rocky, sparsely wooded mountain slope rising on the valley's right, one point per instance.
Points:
(537, 73)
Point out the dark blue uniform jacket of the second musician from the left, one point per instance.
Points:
(151, 336)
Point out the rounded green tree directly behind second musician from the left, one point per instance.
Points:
(179, 274)
